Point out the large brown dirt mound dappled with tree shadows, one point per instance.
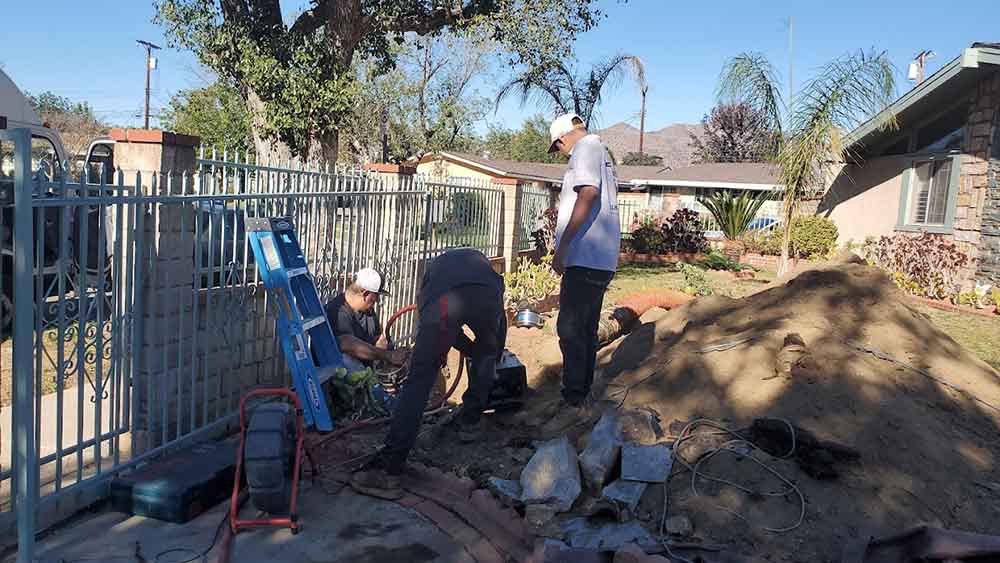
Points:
(920, 409)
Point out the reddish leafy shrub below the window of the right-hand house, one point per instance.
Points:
(926, 265)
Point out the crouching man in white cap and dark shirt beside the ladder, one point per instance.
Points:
(355, 323)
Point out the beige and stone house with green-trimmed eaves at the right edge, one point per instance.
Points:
(937, 172)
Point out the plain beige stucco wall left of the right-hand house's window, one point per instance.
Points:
(863, 200)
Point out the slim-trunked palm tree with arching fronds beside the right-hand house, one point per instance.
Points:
(847, 91)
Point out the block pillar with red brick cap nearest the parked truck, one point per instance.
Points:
(160, 256)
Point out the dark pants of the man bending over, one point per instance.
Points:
(439, 329)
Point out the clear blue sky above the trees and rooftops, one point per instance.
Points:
(87, 50)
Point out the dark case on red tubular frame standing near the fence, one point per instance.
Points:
(271, 450)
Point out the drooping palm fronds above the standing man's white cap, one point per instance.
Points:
(564, 90)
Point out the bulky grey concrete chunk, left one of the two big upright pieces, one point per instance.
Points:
(552, 476)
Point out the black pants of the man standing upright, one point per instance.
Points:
(580, 298)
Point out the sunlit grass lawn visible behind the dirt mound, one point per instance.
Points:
(979, 334)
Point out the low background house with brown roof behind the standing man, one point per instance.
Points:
(641, 188)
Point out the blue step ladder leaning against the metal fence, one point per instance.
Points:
(301, 320)
